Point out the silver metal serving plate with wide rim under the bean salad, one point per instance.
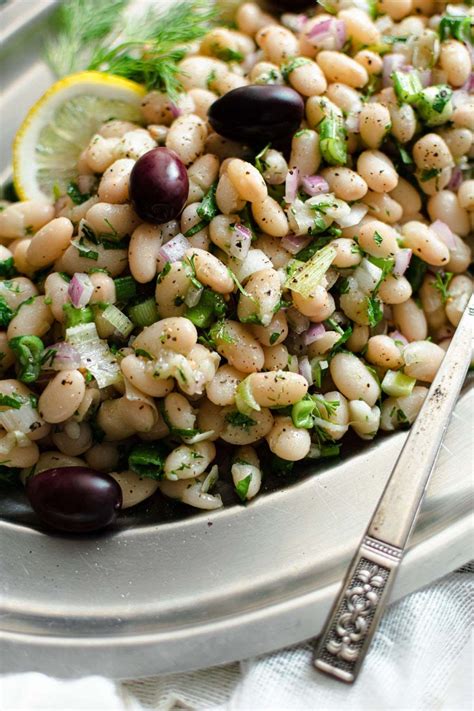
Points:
(154, 596)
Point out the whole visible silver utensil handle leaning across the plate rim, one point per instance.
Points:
(357, 610)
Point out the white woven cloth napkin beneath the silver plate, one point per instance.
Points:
(420, 660)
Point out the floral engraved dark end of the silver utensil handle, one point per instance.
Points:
(354, 618)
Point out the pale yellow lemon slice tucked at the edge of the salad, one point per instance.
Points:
(59, 126)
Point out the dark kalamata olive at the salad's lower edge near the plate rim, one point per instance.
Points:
(74, 499)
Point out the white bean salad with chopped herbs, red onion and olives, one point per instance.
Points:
(275, 258)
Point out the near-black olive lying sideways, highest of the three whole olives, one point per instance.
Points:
(257, 114)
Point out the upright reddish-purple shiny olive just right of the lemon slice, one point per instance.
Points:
(159, 186)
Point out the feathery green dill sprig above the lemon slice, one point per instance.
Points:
(145, 48)
